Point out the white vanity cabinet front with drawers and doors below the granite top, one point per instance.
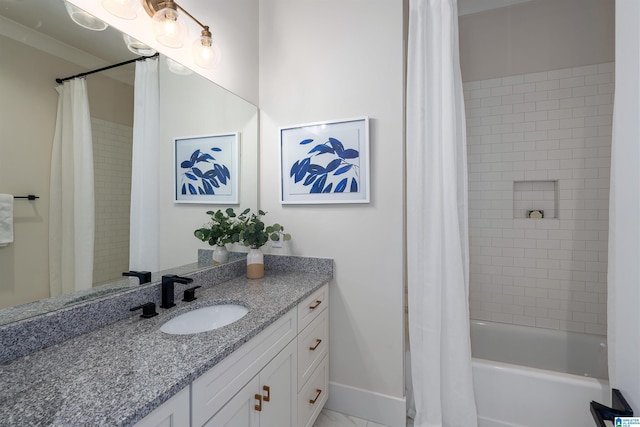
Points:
(277, 379)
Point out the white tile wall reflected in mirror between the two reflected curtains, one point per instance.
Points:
(112, 144)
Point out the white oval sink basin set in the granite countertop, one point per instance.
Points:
(204, 319)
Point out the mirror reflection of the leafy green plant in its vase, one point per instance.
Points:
(223, 228)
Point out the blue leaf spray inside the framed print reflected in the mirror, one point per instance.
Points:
(202, 174)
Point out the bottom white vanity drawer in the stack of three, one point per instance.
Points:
(314, 395)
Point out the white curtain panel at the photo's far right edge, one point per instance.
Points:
(624, 268)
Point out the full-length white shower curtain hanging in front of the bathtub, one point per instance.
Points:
(437, 223)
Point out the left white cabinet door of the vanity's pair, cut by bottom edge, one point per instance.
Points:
(240, 411)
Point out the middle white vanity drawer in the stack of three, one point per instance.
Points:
(312, 346)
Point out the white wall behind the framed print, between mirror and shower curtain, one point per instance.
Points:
(331, 60)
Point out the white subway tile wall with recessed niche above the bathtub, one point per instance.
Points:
(525, 134)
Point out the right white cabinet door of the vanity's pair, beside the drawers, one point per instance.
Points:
(278, 385)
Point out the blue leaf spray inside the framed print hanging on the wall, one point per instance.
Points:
(329, 167)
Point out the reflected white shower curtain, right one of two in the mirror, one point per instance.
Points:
(144, 222)
